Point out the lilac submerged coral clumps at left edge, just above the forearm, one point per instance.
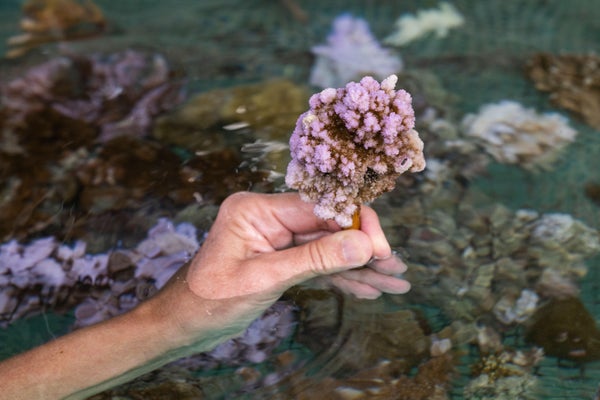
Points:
(57, 274)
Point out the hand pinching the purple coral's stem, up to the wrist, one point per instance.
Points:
(261, 245)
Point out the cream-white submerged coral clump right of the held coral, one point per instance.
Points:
(513, 134)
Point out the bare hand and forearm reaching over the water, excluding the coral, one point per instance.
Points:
(258, 247)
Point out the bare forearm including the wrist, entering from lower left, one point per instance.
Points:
(98, 357)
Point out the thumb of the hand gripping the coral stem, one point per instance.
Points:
(329, 254)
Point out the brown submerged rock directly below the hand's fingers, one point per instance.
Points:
(369, 334)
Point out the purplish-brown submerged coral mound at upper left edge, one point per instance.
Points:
(119, 93)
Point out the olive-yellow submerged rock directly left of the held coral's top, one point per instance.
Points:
(268, 109)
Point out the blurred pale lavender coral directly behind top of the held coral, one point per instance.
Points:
(351, 51)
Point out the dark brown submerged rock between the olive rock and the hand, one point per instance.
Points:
(128, 172)
